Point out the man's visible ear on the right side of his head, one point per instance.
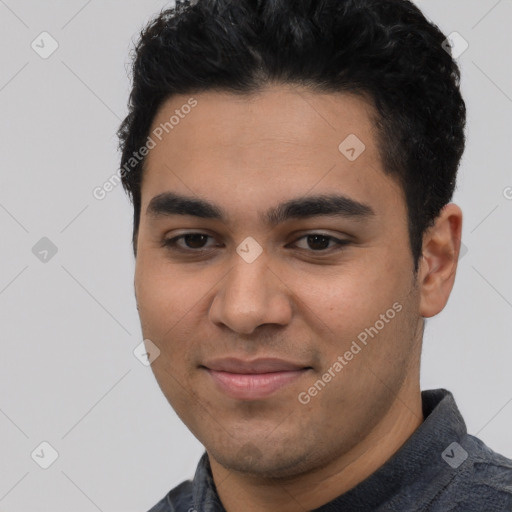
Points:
(438, 264)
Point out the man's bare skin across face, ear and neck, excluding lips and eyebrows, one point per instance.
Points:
(295, 302)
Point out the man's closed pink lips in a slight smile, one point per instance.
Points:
(252, 380)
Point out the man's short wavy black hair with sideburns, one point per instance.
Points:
(383, 50)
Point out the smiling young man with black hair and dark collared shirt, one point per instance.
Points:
(291, 165)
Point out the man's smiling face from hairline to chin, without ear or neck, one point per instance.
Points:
(286, 325)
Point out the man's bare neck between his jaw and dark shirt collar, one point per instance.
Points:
(314, 489)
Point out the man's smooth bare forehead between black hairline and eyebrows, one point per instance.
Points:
(262, 148)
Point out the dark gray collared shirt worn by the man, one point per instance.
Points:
(440, 468)
